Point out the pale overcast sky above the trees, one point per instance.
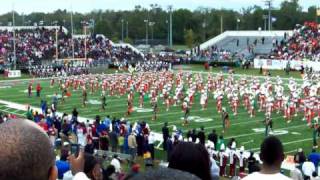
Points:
(28, 6)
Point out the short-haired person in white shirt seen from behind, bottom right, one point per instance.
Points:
(272, 155)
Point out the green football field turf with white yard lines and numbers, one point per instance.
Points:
(247, 131)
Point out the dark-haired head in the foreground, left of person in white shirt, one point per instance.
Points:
(190, 157)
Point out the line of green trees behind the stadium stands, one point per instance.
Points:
(191, 27)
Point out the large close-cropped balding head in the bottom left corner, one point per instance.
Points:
(27, 154)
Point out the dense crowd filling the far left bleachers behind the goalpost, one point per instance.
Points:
(40, 44)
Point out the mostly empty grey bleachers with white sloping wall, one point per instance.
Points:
(228, 41)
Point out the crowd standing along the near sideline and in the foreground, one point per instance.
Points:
(206, 156)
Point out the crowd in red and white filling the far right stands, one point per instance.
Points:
(303, 44)
